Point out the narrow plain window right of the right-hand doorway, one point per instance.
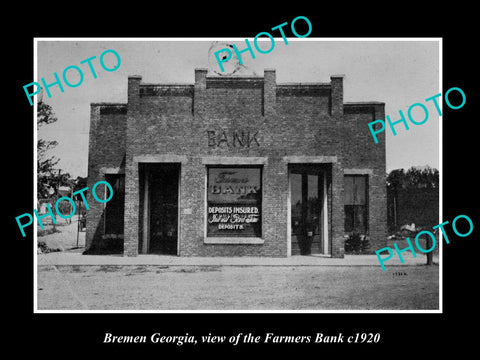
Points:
(356, 204)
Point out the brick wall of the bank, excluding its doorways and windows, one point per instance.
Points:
(171, 123)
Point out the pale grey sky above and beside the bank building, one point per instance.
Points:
(398, 73)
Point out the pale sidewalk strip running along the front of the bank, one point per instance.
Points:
(76, 258)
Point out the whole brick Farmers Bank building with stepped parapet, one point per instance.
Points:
(236, 166)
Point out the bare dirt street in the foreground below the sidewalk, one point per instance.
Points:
(150, 287)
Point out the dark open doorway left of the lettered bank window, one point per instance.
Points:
(160, 208)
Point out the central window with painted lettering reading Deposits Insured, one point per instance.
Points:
(234, 201)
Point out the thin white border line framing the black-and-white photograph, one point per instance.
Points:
(35, 75)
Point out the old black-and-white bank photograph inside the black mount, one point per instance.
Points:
(285, 174)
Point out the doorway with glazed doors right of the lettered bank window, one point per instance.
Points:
(309, 209)
